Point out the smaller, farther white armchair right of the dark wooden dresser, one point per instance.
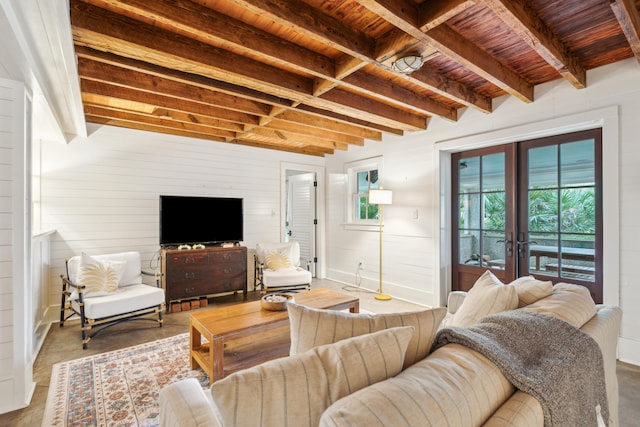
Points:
(278, 268)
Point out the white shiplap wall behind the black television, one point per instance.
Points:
(101, 194)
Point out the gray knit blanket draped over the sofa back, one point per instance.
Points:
(553, 361)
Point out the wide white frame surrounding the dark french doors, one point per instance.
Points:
(607, 118)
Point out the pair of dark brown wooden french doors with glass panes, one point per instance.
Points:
(530, 208)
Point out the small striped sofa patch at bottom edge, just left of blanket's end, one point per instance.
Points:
(521, 410)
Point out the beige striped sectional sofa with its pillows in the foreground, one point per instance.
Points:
(381, 370)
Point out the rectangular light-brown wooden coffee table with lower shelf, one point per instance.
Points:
(244, 335)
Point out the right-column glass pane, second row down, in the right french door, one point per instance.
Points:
(578, 214)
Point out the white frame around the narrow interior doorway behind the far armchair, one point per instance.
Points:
(320, 241)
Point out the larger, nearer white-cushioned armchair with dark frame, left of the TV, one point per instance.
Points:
(106, 290)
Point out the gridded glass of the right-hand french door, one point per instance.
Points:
(561, 240)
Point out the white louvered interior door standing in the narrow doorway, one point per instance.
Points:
(301, 209)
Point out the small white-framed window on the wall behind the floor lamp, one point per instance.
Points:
(363, 176)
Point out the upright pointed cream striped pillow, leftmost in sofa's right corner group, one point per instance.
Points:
(487, 296)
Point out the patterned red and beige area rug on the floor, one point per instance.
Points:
(118, 388)
